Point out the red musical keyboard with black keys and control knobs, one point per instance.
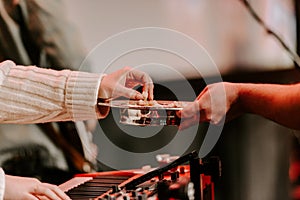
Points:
(174, 181)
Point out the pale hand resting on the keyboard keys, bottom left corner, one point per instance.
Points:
(31, 189)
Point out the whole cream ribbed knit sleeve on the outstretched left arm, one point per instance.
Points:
(34, 95)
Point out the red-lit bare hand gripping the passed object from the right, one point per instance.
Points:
(214, 103)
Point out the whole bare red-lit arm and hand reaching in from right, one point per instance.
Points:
(272, 101)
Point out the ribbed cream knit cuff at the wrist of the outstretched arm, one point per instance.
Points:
(81, 95)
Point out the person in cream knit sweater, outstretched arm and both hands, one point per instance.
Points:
(37, 95)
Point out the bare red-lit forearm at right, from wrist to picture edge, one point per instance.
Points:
(280, 103)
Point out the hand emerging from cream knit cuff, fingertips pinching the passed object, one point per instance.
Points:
(121, 82)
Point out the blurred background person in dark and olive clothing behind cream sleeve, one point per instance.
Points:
(37, 32)
